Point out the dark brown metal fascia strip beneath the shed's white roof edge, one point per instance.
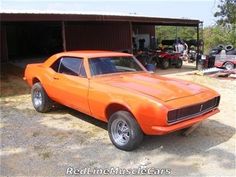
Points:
(96, 17)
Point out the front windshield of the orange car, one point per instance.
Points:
(109, 65)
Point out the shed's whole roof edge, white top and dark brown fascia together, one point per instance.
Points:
(17, 15)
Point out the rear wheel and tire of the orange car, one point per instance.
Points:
(45, 104)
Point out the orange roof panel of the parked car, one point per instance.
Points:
(92, 53)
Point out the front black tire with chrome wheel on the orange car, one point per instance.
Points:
(134, 131)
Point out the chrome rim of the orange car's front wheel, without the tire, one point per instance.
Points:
(120, 132)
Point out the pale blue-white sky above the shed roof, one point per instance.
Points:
(190, 9)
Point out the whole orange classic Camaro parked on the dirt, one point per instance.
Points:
(114, 87)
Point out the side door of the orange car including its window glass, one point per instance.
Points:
(70, 84)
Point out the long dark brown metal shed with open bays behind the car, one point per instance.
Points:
(37, 34)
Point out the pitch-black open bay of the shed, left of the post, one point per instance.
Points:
(27, 40)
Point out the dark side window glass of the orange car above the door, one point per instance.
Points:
(70, 66)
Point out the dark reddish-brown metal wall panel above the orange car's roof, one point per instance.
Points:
(98, 36)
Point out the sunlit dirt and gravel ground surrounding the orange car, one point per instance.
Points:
(35, 144)
